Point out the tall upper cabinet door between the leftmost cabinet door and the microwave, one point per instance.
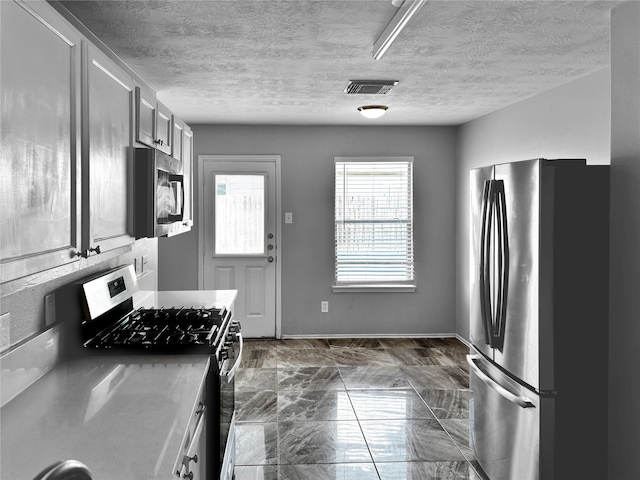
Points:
(107, 147)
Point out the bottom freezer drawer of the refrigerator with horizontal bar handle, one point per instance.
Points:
(506, 424)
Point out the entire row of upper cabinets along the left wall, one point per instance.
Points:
(72, 114)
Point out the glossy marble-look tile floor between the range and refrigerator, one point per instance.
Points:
(354, 409)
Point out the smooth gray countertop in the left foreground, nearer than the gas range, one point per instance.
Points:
(122, 416)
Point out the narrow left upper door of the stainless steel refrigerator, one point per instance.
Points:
(479, 183)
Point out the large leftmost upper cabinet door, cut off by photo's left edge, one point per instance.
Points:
(40, 88)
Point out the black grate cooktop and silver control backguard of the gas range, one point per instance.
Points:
(111, 322)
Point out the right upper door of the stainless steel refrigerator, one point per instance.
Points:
(521, 352)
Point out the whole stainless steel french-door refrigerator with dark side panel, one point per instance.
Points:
(539, 319)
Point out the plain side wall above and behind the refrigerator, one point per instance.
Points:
(571, 121)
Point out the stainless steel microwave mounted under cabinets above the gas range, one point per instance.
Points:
(159, 186)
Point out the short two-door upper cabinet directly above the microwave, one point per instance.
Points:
(154, 122)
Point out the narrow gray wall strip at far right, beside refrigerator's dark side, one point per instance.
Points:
(624, 313)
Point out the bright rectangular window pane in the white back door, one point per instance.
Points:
(239, 209)
